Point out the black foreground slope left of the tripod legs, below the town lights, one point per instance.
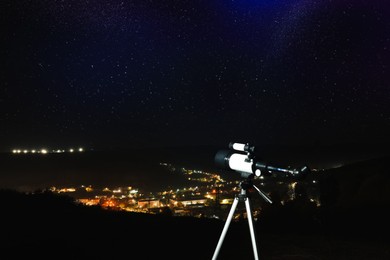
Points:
(48, 225)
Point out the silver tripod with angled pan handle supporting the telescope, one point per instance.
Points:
(244, 185)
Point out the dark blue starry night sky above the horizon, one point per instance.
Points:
(113, 74)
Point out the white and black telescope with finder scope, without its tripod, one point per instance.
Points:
(241, 158)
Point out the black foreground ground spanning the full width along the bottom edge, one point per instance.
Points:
(46, 225)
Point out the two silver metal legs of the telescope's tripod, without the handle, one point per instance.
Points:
(229, 219)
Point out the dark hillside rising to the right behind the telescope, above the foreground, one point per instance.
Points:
(354, 202)
